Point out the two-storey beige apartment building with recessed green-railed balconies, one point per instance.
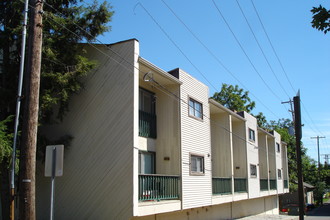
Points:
(151, 144)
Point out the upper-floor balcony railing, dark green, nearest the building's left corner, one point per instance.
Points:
(147, 125)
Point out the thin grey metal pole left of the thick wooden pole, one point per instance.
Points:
(18, 107)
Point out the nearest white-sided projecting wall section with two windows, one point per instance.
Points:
(195, 139)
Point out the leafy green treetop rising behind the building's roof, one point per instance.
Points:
(234, 98)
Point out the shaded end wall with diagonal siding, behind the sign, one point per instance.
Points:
(98, 167)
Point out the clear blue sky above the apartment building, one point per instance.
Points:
(194, 36)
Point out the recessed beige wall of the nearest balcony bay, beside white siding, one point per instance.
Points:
(167, 143)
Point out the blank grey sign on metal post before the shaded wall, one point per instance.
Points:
(53, 168)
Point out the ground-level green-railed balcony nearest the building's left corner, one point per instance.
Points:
(158, 187)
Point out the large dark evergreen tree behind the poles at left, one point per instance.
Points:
(66, 23)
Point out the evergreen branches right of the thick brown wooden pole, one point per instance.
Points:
(65, 25)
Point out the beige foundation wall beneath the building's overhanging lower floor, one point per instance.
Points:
(265, 205)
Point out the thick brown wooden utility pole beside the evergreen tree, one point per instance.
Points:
(30, 120)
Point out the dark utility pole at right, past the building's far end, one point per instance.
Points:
(296, 103)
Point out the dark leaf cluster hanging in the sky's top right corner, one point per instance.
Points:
(321, 19)
